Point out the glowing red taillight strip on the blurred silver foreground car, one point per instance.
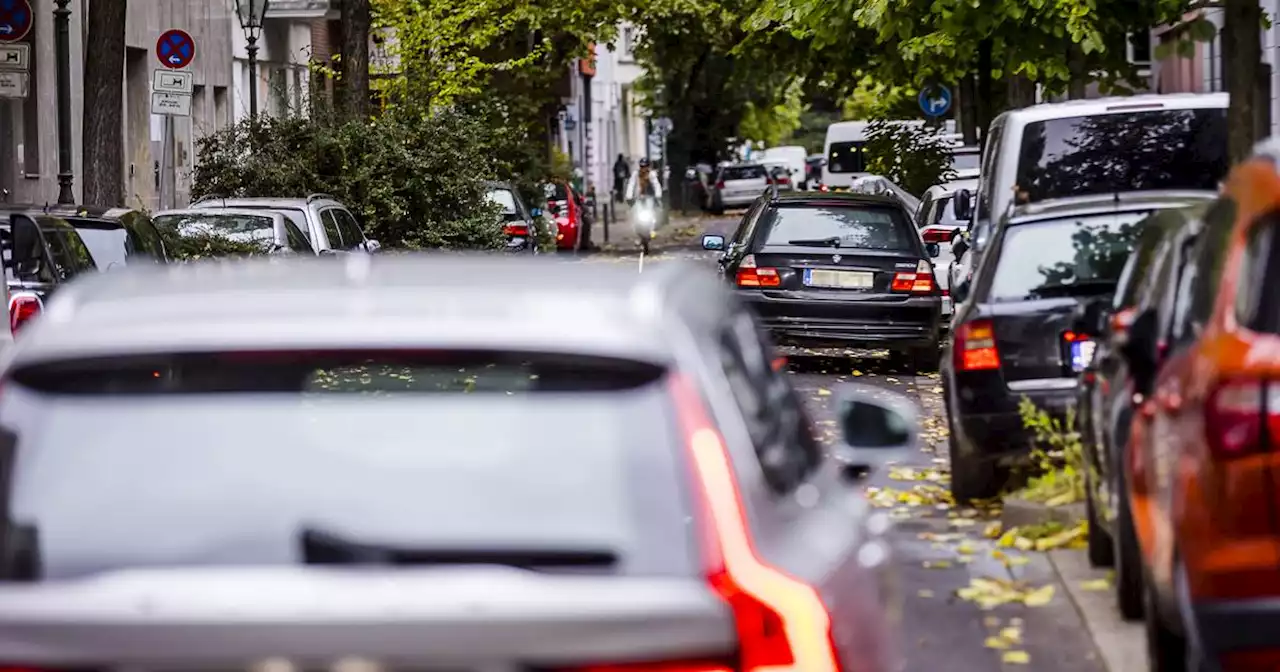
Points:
(735, 569)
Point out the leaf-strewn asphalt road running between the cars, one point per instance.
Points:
(940, 550)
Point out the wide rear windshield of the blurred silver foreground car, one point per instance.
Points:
(282, 459)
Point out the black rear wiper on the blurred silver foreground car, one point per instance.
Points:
(326, 548)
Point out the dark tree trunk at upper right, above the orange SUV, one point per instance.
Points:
(1242, 30)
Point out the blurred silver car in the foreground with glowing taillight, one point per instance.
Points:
(436, 464)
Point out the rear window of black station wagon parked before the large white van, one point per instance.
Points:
(1064, 257)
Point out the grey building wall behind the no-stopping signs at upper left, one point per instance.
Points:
(29, 130)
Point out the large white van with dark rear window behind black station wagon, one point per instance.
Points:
(1090, 148)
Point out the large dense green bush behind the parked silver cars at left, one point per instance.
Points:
(415, 181)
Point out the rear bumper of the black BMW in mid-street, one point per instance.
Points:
(900, 324)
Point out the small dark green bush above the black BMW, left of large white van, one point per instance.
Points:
(913, 156)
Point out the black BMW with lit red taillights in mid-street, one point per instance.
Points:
(836, 271)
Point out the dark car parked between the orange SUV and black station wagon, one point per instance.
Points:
(1107, 396)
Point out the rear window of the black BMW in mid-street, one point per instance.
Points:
(866, 227)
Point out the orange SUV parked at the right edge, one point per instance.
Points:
(1204, 468)
